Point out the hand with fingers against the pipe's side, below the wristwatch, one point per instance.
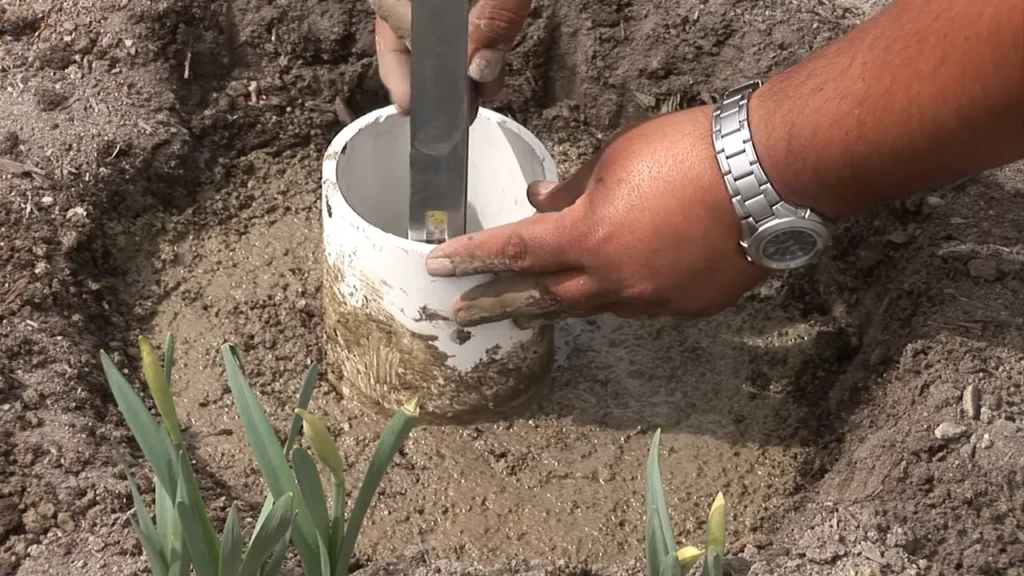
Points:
(646, 228)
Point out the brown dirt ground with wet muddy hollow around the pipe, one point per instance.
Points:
(168, 180)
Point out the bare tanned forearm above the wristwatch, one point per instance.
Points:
(925, 94)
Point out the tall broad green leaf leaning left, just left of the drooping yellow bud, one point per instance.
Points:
(271, 458)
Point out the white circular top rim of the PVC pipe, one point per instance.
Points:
(334, 152)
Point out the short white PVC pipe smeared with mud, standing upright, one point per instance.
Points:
(389, 331)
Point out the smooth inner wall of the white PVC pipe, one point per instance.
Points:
(373, 175)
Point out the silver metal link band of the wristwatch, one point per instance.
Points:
(753, 196)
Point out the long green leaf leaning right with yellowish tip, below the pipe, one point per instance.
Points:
(390, 443)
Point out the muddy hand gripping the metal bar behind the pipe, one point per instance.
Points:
(494, 26)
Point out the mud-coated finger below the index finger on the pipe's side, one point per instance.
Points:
(529, 299)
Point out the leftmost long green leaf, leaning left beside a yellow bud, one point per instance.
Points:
(149, 435)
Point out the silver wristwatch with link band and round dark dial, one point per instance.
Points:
(775, 234)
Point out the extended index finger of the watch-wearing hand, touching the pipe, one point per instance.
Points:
(542, 243)
